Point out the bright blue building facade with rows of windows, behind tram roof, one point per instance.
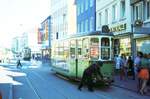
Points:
(86, 18)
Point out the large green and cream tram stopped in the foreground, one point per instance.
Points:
(70, 56)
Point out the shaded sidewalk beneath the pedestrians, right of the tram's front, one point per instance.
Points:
(128, 84)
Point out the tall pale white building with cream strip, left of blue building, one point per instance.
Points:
(63, 14)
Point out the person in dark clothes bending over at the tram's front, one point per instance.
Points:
(89, 72)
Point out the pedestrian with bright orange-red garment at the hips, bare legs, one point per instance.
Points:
(143, 75)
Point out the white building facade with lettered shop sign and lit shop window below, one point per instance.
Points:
(116, 14)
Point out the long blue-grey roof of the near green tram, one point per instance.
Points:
(92, 34)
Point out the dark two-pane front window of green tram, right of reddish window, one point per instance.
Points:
(105, 48)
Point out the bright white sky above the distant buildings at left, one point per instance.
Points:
(17, 16)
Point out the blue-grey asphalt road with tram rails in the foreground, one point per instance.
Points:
(37, 81)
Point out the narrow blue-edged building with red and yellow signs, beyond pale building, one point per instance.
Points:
(45, 34)
